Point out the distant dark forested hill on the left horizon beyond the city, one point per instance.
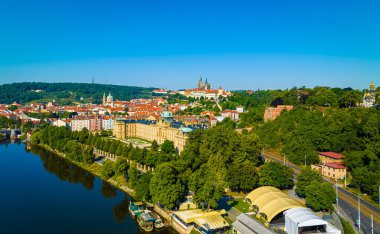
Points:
(66, 93)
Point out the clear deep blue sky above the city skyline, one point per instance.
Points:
(163, 43)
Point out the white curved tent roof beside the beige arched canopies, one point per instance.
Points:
(303, 217)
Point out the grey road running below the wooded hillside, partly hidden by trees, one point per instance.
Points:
(348, 202)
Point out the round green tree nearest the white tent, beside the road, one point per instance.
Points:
(320, 196)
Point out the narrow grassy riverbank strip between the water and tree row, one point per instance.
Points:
(94, 169)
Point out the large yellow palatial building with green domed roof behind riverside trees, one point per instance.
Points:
(150, 131)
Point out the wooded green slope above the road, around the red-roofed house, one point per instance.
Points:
(301, 133)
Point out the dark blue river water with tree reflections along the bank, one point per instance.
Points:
(43, 193)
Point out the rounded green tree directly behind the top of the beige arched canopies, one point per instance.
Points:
(276, 175)
